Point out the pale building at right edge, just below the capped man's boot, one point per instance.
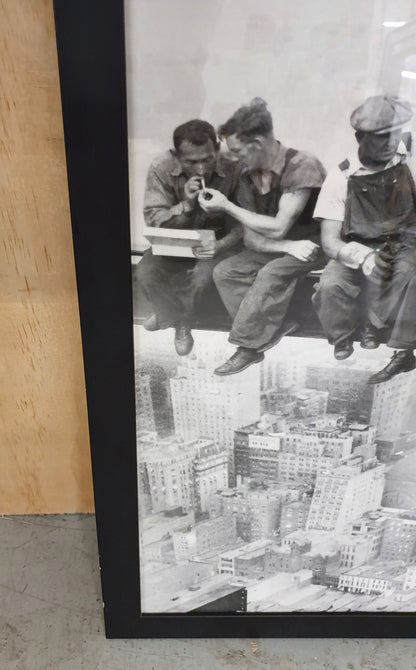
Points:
(391, 411)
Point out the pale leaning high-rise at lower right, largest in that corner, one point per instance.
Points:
(345, 493)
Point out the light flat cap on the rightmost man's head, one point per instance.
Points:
(381, 114)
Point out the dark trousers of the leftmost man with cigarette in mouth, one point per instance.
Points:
(171, 287)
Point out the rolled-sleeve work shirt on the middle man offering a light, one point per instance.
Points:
(291, 171)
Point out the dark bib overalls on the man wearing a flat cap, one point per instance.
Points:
(380, 213)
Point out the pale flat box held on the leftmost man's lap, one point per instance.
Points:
(176, 241)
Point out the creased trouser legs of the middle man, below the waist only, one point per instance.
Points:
(256, 288)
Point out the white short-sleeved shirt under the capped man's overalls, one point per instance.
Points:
(333, 194)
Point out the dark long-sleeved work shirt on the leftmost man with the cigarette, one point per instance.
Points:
(164, 197)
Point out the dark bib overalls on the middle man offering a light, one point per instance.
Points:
(256, 286)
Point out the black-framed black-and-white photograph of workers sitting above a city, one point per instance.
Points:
(247, 335)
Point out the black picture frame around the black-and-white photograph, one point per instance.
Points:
(91, 53)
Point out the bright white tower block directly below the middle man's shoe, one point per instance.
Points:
(205, 405)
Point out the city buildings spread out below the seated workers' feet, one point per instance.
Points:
(284, 474)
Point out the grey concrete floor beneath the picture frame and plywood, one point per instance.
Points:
(51, 617)
